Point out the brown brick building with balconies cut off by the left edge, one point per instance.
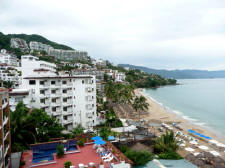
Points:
(5, 140)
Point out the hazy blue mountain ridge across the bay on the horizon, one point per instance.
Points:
(179, 74)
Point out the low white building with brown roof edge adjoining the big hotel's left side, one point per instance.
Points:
(19, 95)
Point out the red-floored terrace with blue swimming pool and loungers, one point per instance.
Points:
(44, 156)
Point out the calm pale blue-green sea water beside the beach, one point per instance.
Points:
(201, 101)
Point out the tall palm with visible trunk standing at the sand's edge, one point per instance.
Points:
(140, 103)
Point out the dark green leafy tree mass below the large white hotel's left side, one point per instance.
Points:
(32, 126)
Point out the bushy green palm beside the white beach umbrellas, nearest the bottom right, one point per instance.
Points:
(166, 143)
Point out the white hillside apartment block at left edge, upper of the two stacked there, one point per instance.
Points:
(6, 58)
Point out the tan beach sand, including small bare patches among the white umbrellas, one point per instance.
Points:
(158, 114)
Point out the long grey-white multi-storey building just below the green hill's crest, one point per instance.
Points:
(68, 55)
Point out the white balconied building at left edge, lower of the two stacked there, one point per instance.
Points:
(10, 74)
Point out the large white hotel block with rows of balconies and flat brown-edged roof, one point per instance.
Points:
(71, 99)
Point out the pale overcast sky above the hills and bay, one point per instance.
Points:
(162, 34)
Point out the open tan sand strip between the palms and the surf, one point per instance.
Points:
(159, 113)
